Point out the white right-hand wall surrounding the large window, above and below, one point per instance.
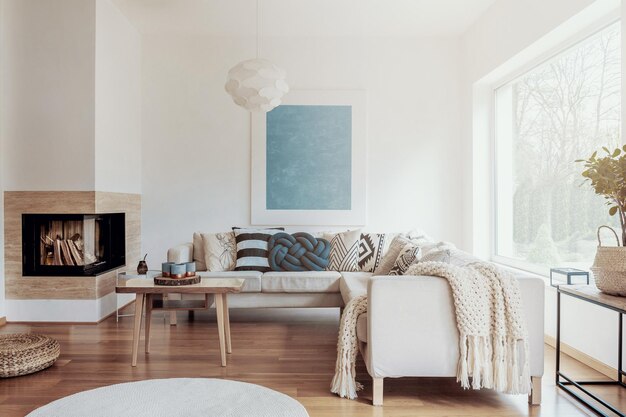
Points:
(508, 35)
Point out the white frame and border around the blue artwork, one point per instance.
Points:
(356, 215)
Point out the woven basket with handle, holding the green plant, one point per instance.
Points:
(609, 267)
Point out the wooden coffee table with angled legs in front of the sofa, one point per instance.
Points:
(145, 290)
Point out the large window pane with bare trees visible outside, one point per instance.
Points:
(560, 111)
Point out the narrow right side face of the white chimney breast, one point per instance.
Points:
(118, 102)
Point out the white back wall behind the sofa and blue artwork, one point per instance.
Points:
(196, 142)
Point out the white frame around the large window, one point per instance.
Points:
(532, 64)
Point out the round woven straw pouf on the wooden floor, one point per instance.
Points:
(25, 353)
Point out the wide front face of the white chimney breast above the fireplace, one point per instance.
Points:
(48, 65)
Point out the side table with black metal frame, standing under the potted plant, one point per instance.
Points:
(590, 294)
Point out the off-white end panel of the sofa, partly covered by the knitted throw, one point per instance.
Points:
(411, 326)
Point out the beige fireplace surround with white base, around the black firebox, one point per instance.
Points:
(87, 292)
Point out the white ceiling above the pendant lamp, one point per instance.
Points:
(305, 17)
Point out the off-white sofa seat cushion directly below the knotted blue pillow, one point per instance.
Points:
(301, 282)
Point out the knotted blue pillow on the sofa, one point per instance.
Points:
(297, 252)
